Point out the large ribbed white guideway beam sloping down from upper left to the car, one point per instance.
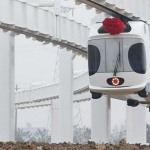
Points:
(43, 25)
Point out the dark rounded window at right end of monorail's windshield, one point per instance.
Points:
(137, 58)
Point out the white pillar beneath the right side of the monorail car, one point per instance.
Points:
(136, 124)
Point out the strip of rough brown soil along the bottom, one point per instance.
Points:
(68, 146)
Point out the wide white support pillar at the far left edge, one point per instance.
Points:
(7, 128)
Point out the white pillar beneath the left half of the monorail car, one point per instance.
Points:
(101, 119)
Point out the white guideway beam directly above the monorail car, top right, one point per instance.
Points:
(130, 9)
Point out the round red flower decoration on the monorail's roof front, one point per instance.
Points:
(113, 26)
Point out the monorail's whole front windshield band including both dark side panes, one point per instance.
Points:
(116, 55)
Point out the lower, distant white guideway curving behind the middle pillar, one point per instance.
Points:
(43, 96)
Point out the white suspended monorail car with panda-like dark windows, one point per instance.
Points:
(119, 64)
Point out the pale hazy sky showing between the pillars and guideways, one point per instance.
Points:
(36, 63)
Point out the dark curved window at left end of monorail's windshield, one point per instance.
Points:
(93, 59)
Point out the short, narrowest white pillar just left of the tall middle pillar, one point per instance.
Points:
(55, 121)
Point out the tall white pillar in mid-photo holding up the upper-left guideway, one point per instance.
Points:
(66, 96)
